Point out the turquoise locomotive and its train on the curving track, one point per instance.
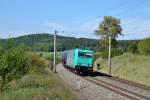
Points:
(79, 60)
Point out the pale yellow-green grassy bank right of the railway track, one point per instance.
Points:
(128, 66)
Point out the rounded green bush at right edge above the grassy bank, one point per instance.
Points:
(144, 46)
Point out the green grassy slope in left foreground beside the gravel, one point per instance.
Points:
(38, 84)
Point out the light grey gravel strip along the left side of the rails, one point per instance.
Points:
(86, 89)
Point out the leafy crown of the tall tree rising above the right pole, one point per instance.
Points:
(110, 26)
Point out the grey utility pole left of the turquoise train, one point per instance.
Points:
(54, 60)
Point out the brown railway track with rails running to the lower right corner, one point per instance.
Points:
(123, 91)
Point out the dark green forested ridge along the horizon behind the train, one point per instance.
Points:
(44, 42)
